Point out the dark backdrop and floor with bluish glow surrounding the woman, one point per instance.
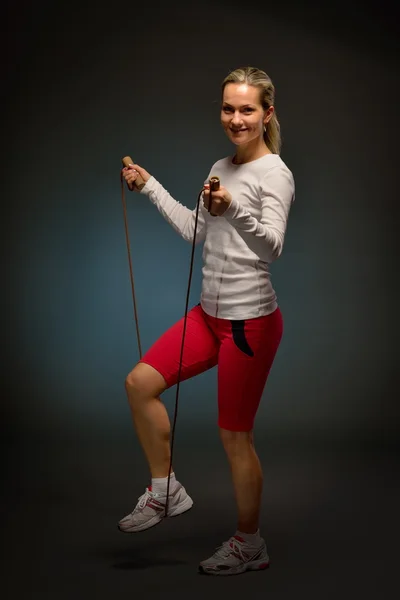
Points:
(84, 85)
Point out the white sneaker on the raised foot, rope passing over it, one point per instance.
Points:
(150, 509)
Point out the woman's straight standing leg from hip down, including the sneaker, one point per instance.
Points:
(247, 352)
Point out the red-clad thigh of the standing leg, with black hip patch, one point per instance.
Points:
(246, 356)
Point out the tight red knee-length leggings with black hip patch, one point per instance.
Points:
(243, 350)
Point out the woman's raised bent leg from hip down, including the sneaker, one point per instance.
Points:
(157, 371)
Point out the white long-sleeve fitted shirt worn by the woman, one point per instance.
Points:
(240, 244)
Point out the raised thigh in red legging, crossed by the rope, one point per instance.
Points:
(200, 351)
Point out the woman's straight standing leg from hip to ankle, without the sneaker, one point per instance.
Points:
(247, 353)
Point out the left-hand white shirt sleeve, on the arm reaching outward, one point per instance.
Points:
(181, 218)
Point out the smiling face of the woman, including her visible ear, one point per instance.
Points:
(242, 115)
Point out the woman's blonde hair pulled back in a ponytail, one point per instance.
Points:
(257, 78)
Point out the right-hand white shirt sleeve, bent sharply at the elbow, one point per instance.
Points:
(277, 195)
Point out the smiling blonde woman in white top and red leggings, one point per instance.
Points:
(237, 325)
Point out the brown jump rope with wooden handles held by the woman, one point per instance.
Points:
(214, 186)
